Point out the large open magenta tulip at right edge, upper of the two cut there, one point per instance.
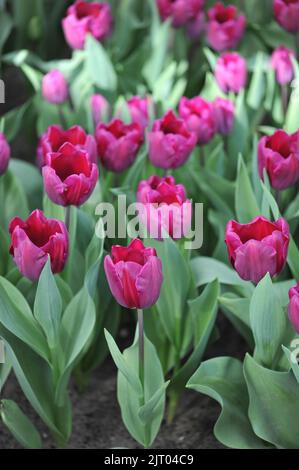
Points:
(279, 155)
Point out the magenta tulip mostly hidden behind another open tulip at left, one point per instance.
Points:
(53, 139)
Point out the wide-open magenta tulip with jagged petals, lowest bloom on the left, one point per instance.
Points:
(34, 240)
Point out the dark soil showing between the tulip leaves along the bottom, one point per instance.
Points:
(97, 422)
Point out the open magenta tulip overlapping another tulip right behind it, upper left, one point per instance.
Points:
(69, 176)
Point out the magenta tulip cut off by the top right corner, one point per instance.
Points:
(286, 13)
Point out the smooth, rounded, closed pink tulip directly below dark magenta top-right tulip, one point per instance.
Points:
(231, 72)
